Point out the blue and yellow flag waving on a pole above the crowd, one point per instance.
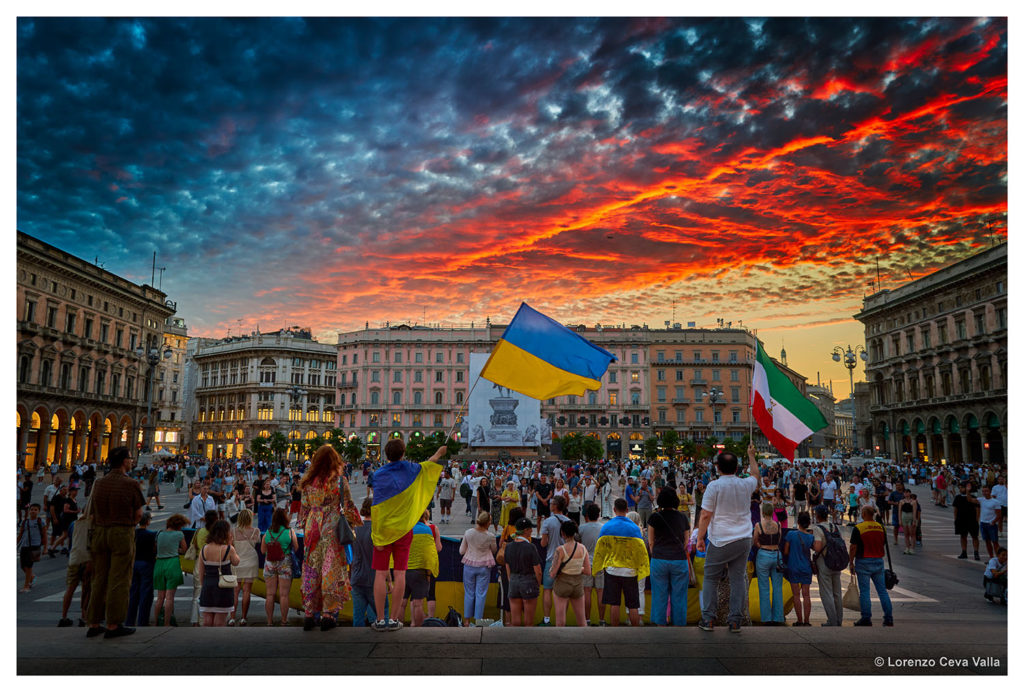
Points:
(541, 359)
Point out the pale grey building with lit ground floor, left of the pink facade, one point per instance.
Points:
(258, 385)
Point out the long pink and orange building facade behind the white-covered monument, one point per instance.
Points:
(409, 382)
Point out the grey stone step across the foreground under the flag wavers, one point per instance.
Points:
(952, 650)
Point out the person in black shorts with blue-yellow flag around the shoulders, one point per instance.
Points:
(622, 553)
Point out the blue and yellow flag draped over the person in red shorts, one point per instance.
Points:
(402, 493)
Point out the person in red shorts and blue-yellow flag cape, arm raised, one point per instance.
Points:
(403, 491)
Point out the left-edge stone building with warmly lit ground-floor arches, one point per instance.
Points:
(81, 387)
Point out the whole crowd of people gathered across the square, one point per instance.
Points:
(565, 536)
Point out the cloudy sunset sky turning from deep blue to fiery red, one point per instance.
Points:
(326, 174)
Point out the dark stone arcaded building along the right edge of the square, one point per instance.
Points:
(937, 364)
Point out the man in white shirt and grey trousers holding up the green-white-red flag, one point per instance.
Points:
(726, 522)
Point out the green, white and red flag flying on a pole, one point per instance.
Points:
(785, 416)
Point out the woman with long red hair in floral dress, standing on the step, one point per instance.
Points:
(325, 568)
